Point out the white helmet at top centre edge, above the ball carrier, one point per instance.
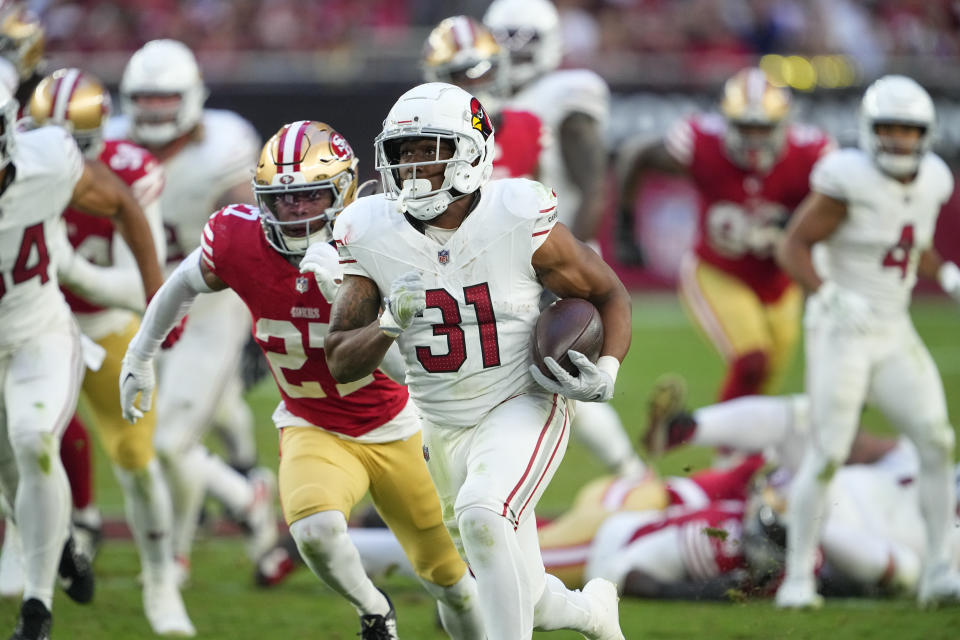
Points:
(530, 31)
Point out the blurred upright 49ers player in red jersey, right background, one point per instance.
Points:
(751, 167)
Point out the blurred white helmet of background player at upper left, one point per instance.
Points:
(162, 68)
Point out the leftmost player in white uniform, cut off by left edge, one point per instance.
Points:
(41, 366)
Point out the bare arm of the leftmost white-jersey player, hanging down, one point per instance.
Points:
(100, 192)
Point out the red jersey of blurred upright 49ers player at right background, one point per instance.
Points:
(728, 191)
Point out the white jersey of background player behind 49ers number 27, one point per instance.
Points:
(225, 154)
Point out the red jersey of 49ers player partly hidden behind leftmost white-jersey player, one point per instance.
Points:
(92, 236)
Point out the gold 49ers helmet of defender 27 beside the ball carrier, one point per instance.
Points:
(299, 162)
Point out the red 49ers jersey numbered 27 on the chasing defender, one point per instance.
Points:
(290, 320)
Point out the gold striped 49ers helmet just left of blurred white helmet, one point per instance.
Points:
(78, 102)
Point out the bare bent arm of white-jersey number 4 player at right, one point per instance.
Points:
(817, 217)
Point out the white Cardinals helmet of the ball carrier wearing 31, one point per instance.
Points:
(443, 112)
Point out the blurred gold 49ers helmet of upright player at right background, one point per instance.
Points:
(750, 100)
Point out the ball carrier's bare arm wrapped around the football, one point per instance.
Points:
(571, 269)
